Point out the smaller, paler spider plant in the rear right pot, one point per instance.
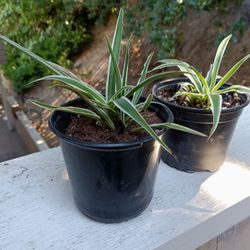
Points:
(207, 90)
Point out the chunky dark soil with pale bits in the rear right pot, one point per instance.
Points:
(229, 100)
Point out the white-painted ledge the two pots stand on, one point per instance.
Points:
(37, 210)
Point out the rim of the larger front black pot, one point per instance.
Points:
(107, 146)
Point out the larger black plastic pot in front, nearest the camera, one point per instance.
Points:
(111, 182)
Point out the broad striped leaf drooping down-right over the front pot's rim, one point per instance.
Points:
(126, 106)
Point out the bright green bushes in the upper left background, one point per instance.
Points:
(53, 29)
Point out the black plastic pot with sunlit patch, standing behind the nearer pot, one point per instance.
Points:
(195, 153)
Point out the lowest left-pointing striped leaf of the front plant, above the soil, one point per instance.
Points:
(69, 109)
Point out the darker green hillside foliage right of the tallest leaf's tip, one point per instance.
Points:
(159, 18)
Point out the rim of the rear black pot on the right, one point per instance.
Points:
(174, 81)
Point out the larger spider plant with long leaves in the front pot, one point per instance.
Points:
(121, 105)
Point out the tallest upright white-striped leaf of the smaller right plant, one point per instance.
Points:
(217, 61)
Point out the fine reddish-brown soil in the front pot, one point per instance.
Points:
(88, 130)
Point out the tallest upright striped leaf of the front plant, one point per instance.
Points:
(116, 47)
